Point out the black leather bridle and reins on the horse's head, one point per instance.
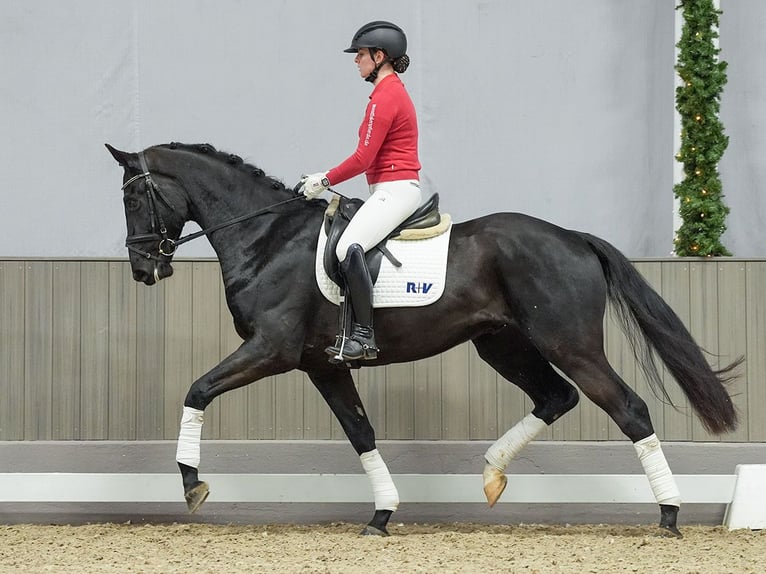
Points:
(166, 246)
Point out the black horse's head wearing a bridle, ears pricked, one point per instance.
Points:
(154, 223)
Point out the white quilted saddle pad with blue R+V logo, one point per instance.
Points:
(419, 281)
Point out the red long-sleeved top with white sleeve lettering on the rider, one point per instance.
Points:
(388, 138)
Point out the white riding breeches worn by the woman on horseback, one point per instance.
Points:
(390, 203)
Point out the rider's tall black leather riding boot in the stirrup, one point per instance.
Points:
(360, 345)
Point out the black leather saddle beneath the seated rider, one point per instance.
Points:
(336, 221)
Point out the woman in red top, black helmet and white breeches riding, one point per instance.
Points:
(387, 153)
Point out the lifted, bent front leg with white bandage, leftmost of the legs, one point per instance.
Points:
(242, 367)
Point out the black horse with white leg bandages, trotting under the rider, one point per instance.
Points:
(528, 294)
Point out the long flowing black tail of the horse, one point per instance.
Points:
(642, 311)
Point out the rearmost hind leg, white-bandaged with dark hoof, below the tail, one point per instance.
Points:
(600, 383)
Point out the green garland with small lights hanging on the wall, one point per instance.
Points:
(703, 141)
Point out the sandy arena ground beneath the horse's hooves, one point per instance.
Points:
(443, 548)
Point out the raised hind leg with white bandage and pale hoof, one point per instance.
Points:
(512, 355)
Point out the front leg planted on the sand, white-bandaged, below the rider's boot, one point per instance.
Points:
(338, 390)
